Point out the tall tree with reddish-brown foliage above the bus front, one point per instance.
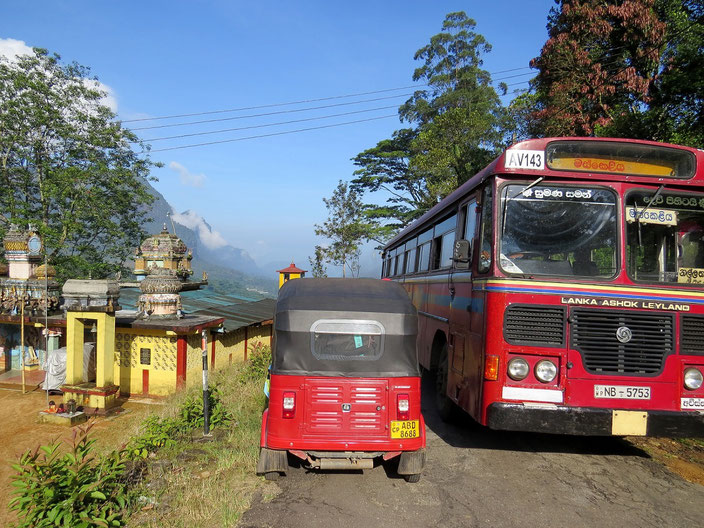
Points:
(599, 62)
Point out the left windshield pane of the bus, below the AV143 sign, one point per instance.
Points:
(560, 231)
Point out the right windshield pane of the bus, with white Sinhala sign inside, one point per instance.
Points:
(665, 237)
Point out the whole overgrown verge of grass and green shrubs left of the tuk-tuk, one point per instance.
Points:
(154, 468)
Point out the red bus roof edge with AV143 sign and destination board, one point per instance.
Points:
(581, 158)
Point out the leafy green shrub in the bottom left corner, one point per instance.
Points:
(71, 489)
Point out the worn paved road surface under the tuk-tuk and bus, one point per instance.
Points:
(479, 478)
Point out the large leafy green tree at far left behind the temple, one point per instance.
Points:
(68, 167)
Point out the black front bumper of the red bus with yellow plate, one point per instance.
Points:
(593, 421)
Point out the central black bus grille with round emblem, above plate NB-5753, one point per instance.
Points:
(594, 336)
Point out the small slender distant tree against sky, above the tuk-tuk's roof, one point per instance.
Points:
(345, 227)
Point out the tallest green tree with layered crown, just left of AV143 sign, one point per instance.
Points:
(461, 122)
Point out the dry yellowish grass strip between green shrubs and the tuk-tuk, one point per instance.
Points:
(206, 483)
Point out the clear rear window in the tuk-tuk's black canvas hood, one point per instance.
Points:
(345, 339)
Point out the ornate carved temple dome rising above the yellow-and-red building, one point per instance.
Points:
(164, 250)
